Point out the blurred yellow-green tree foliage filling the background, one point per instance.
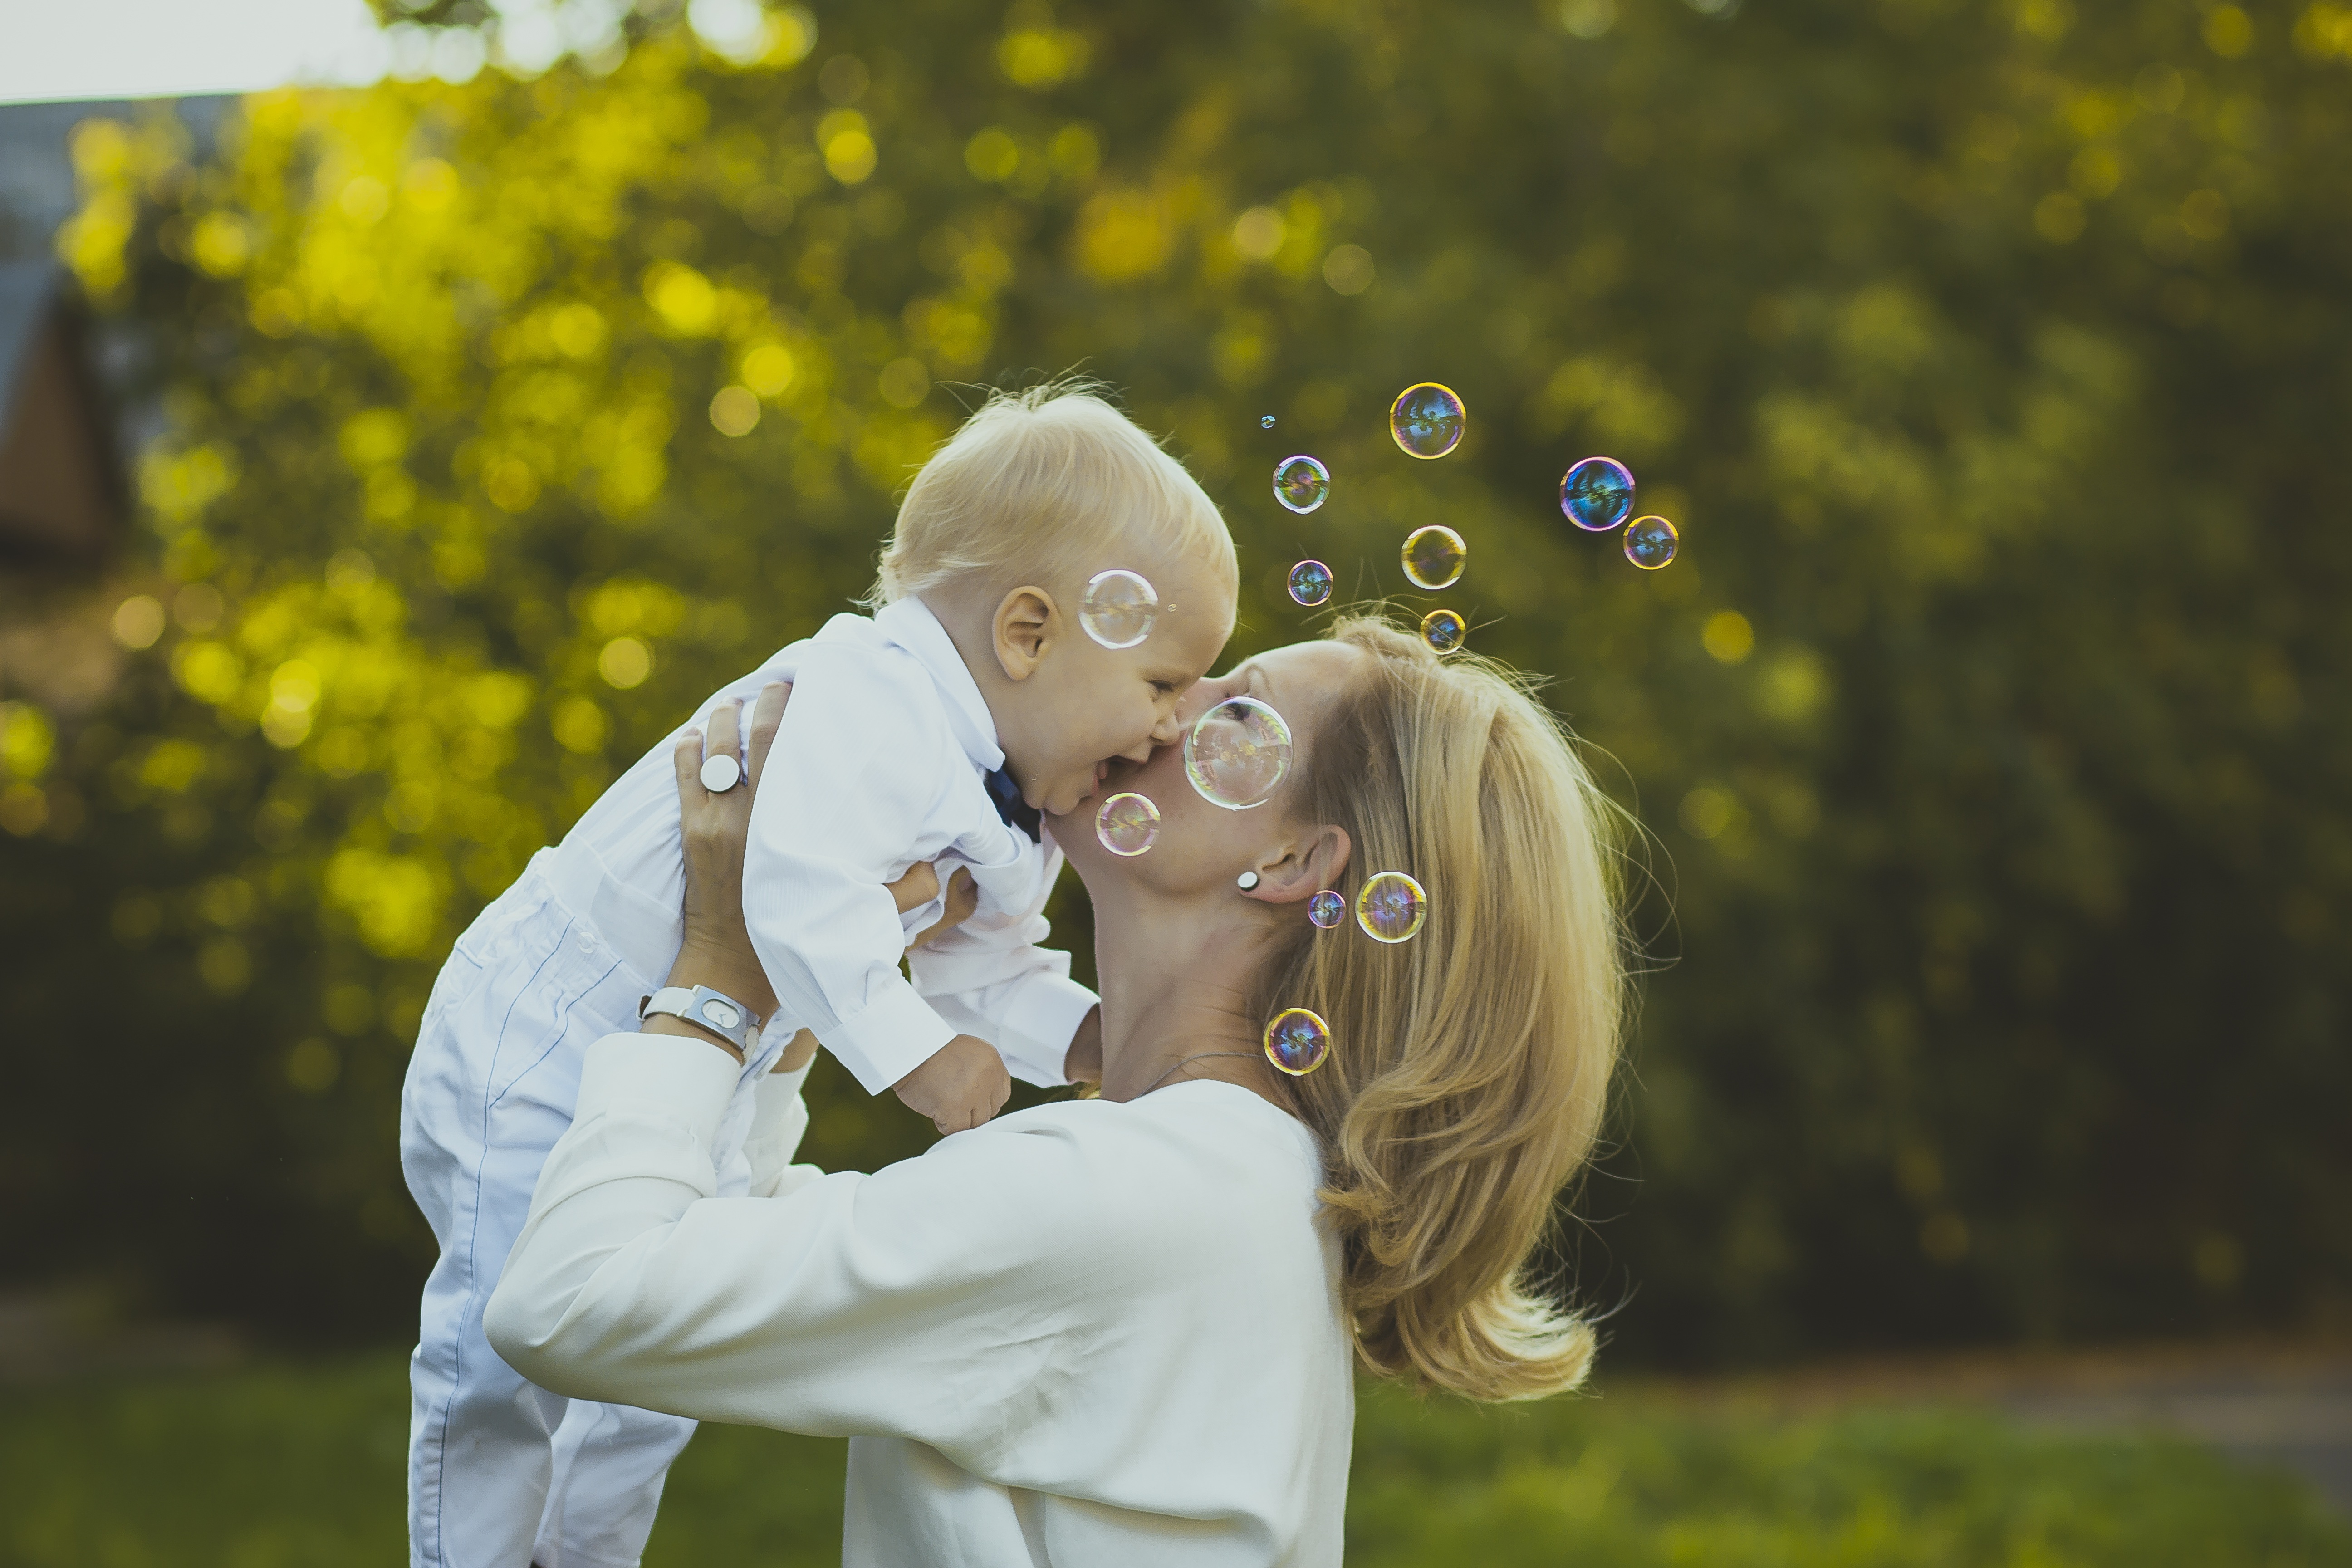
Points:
(1991, 728)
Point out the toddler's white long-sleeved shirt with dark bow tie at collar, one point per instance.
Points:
(881, 765)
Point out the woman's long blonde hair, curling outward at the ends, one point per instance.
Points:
(1471, 1064)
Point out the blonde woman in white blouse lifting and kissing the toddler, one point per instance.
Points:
(1121, 1329)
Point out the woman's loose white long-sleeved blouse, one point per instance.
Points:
(1081, 1334)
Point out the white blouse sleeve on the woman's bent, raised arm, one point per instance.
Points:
(921, 1301)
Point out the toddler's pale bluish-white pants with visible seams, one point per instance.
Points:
(502, 1473)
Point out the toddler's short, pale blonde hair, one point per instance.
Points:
(1048, 483)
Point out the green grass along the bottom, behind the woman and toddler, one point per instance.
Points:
(295, 1466)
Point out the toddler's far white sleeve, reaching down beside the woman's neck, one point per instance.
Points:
(991, 979)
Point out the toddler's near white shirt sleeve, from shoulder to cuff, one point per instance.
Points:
(829, 829)
